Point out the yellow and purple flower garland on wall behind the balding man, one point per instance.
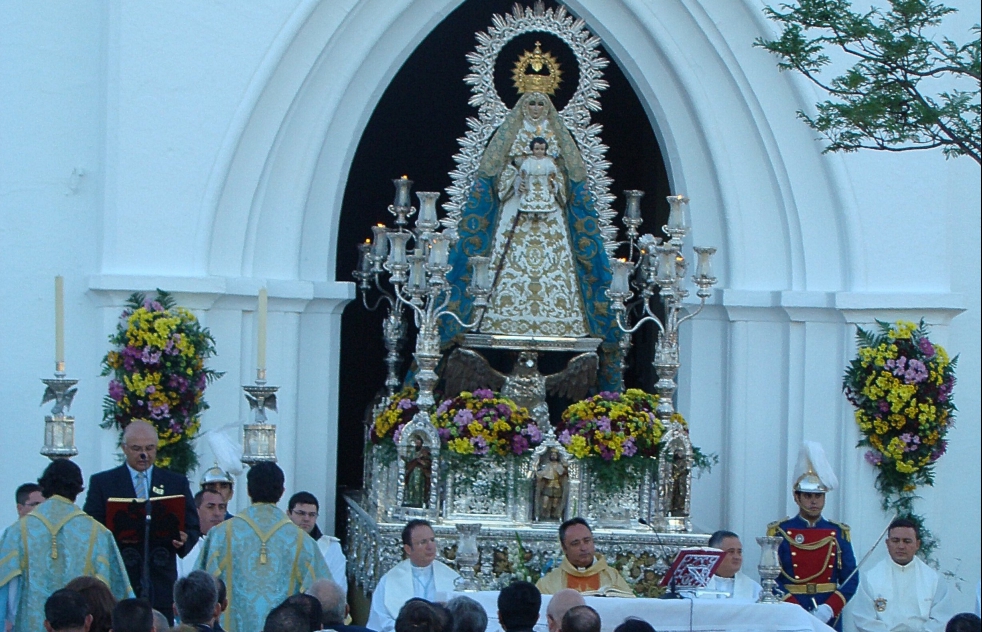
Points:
(159, 375)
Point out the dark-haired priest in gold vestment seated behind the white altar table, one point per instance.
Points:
(583, 569)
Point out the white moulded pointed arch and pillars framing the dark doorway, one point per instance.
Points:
(761, 365)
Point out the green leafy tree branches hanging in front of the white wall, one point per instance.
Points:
(904, 91)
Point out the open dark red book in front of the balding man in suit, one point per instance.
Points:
(126, 518)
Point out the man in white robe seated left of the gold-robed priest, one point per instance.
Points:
(419, 575)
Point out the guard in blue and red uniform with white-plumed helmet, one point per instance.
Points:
(817, 561)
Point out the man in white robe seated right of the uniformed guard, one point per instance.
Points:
(902, 593)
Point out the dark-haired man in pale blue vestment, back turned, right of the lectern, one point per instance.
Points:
(260, 554)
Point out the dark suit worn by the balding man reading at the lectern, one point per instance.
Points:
(116, 483)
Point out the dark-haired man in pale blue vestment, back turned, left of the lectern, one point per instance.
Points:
(53, 545)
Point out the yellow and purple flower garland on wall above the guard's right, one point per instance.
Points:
(901, 385)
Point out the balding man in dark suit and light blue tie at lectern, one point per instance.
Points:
(139, 478)
